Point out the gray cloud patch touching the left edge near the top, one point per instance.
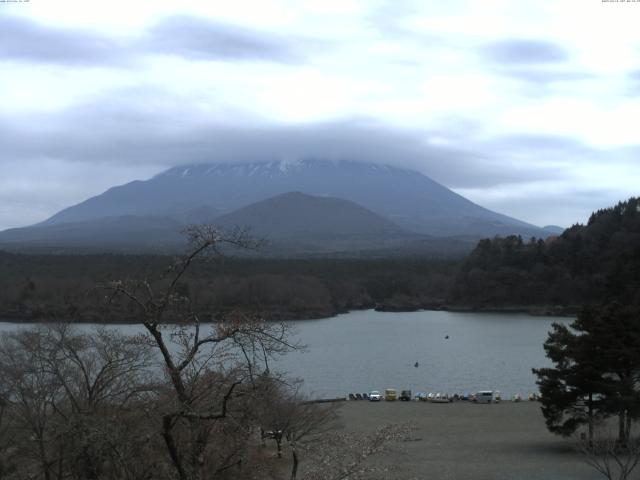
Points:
(25, 40)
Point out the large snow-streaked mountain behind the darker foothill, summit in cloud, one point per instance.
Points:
(405, 197)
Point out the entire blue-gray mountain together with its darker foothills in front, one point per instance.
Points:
(304, 207)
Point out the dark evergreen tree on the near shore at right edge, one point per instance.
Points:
(597, 361)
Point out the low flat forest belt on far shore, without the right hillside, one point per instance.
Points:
(65, 286)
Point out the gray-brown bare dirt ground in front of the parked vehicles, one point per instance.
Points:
(459, 441)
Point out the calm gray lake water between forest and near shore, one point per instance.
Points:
(367, 350)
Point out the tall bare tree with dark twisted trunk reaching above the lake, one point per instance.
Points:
(208, 370)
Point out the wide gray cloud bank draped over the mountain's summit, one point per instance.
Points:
(126, 135)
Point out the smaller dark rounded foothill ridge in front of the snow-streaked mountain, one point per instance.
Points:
(293, 224)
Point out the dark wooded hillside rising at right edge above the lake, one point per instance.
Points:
(586, 264)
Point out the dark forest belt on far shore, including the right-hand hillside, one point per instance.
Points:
(586, 264)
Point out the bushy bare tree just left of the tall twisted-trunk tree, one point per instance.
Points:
(103, 374)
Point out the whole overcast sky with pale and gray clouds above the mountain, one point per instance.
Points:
(530, 108)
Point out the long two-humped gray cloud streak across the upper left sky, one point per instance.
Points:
(189, 37)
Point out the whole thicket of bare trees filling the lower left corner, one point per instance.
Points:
(66, 396)
